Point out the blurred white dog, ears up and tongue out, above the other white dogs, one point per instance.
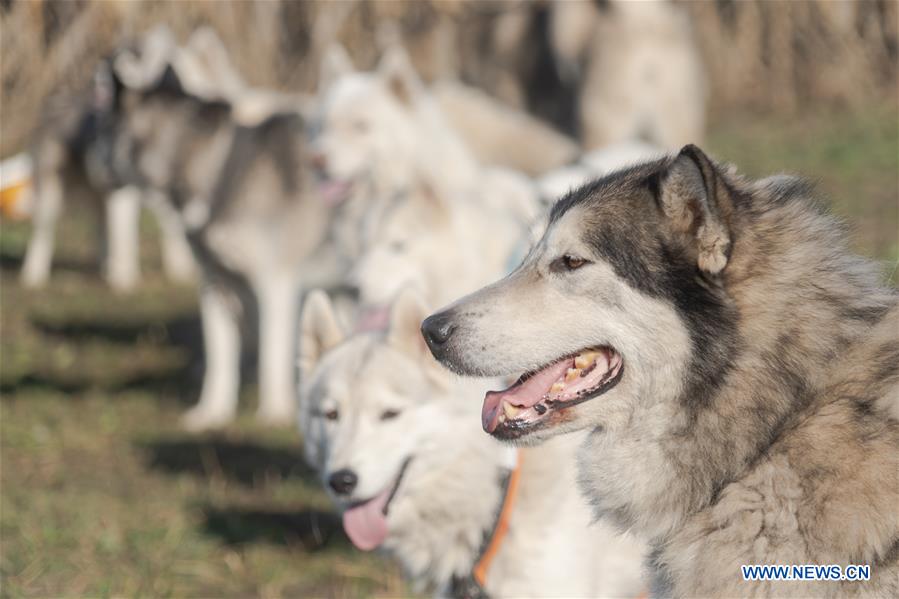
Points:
(381, 134)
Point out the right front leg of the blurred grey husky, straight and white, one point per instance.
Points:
(278, 295)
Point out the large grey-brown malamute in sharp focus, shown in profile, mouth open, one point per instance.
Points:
(736, 367)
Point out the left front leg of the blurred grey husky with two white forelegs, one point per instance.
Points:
(221, 380)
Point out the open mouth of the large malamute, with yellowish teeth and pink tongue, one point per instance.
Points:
(538, 395)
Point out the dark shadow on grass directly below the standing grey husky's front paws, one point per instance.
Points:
(248, 464)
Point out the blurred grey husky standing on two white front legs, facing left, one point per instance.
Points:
(253, 219)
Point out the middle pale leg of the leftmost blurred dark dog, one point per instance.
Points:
(122, 264)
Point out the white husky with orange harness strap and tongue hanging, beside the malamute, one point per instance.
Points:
(391, 435)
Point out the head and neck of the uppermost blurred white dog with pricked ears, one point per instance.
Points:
(378, 131)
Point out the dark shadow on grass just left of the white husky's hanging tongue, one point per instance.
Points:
(310, 529)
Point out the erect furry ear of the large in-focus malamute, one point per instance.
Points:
(697, 202)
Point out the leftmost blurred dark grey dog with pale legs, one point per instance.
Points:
(75, 155)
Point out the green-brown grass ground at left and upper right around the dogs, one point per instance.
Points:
(102, 495)
